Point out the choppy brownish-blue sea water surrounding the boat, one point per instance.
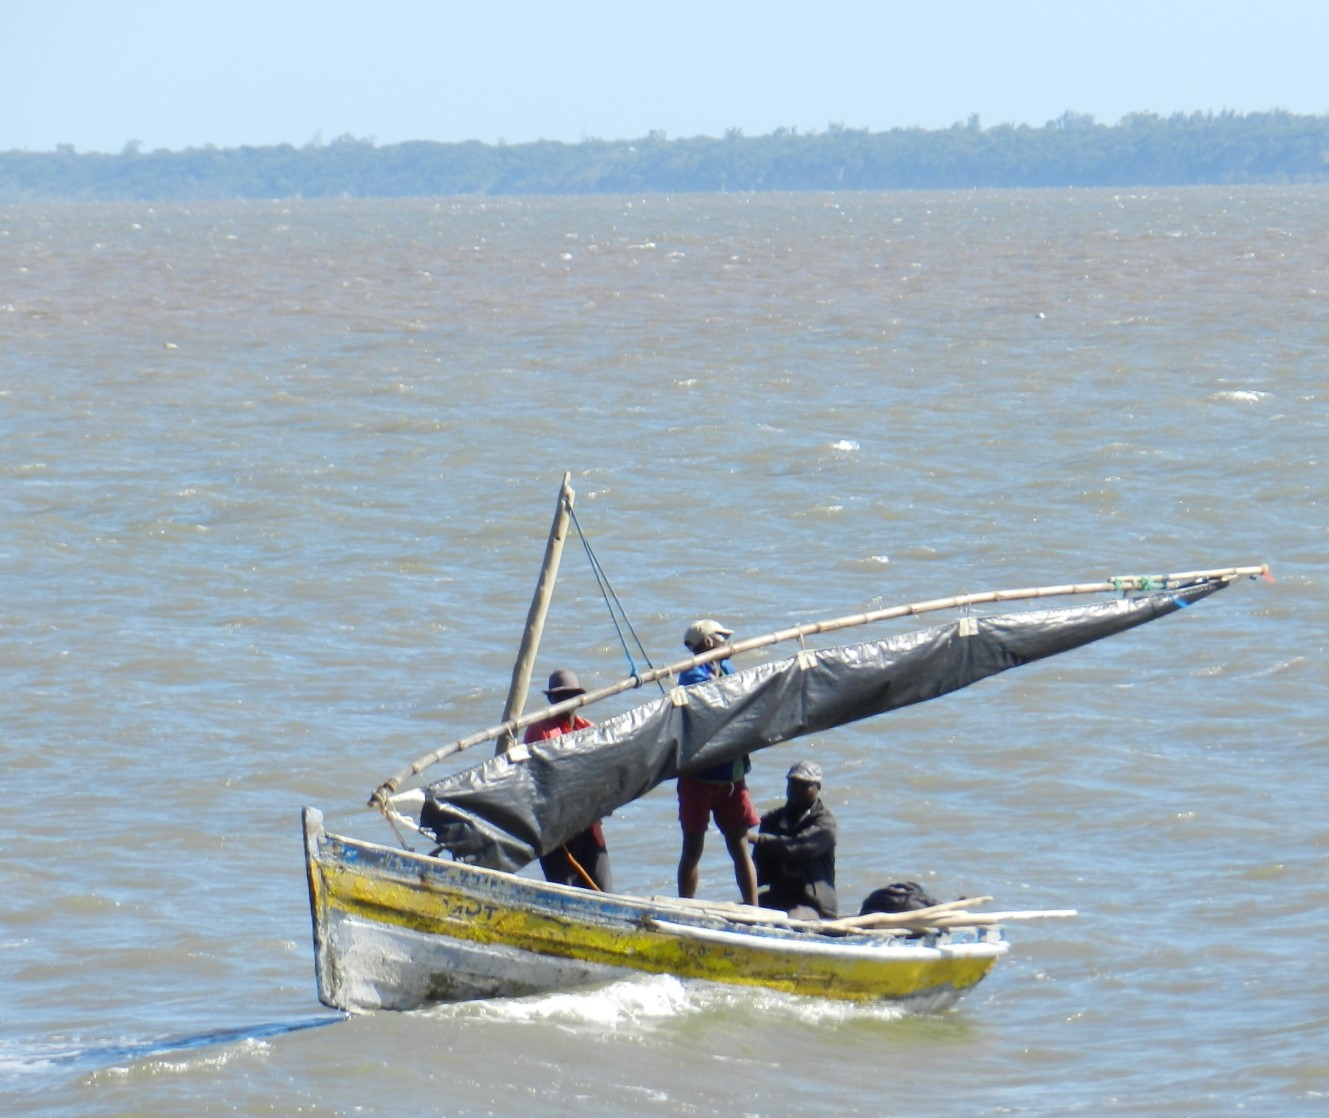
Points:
(274, 489)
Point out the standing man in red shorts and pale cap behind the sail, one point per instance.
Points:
(720, 792)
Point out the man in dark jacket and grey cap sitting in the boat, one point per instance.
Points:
(795, 850)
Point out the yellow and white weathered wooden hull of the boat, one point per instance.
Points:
(395, 930)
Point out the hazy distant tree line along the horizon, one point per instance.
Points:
(1144, 150)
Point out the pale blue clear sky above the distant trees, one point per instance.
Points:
(185, 74)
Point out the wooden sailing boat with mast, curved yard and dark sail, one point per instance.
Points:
(398, 929)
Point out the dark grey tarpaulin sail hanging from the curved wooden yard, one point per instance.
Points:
(511, 810)
